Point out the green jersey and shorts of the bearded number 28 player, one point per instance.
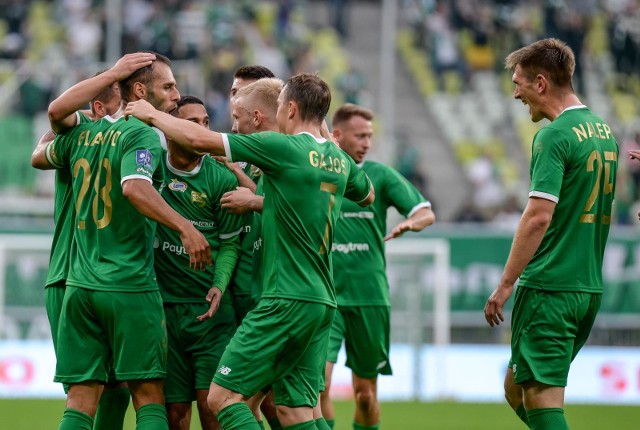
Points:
(112, 305)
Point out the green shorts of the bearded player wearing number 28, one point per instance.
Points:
(100, 328)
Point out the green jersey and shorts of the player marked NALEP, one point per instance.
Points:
(574, 163)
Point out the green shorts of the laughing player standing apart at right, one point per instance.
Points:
(548, 330)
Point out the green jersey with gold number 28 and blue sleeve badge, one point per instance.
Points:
(113, 242)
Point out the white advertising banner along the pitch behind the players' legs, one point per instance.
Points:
(469, 373)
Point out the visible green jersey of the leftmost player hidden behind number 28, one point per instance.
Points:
(63, 218)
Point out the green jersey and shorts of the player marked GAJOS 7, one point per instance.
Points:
(283, 340)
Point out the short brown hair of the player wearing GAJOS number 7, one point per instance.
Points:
(312, 95)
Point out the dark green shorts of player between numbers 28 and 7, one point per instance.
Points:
(195, 347)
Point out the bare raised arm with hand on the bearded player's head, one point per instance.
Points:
(62, 109)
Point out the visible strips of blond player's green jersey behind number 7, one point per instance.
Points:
(243, 275)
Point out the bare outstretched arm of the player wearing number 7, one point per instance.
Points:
(183, 132)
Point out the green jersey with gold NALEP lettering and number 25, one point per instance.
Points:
(574, 163)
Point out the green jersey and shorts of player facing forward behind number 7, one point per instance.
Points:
(359, 272)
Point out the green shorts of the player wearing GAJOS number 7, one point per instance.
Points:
(281, 342)
